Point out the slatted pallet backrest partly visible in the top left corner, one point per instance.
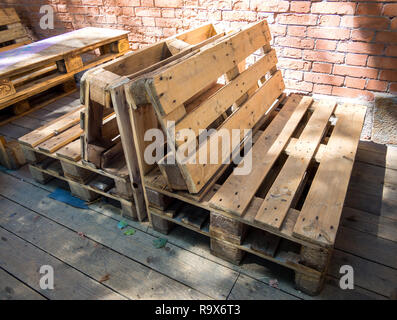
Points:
(12, 33)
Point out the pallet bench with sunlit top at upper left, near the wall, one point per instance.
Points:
(31, 73)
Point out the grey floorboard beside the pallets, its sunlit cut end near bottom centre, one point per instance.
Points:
(174, 262)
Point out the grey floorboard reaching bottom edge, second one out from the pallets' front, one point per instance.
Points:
(125, 275)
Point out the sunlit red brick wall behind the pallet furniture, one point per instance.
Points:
(343, 48)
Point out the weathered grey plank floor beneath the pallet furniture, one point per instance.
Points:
(93, 259)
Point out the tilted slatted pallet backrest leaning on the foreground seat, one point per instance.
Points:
(195, 100)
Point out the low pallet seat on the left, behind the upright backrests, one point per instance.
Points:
(54, 151)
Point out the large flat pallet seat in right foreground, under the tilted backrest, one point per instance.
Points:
(302, 160)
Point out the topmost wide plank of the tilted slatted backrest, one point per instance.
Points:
(195, 73)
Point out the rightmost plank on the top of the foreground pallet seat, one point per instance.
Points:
(320, 214)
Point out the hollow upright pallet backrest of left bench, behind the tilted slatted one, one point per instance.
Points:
(97, 84)
